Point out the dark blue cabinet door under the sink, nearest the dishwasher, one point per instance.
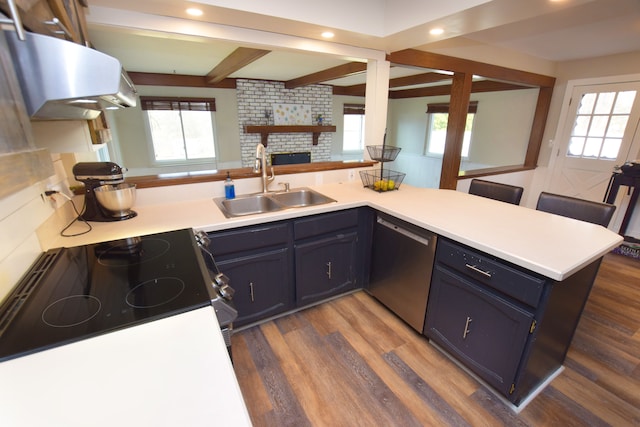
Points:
(325, 267)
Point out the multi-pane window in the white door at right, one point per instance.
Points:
(600, 124)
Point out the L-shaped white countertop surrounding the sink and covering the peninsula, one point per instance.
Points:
(551, 245)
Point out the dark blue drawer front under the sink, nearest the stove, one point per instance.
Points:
(248, 238)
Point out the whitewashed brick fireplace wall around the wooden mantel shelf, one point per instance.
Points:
(257, 96)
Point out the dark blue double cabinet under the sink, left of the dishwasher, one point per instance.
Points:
(280, 266)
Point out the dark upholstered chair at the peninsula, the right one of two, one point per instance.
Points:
(572, 207)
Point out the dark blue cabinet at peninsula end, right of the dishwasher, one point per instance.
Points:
(509, 326)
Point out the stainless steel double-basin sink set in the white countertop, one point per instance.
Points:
(251, 204)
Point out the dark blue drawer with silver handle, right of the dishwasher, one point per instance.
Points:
(517, 284)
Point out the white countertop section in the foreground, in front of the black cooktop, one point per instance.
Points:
(170, 372)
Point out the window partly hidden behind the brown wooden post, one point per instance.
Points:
(437, 118)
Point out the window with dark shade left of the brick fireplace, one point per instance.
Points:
(181, 128)
